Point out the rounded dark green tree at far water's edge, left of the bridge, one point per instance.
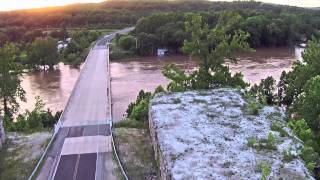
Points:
(44, 53)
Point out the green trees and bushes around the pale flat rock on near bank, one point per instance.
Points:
(297, 90)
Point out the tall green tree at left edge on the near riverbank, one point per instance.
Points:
(10, 81)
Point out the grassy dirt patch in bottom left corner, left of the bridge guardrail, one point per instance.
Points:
(20, 154)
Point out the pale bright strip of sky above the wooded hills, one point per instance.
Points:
(7, 5)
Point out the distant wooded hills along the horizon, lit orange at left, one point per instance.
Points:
(124, 13)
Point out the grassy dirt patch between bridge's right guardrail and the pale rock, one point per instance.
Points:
(136, 153)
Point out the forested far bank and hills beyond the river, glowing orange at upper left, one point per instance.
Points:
(159, 24)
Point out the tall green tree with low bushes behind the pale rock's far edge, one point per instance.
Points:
(211, 47)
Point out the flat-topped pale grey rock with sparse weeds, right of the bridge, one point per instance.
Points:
(213, 135)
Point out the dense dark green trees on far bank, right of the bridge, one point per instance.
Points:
(166, 30)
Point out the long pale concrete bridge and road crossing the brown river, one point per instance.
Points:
(81, 147)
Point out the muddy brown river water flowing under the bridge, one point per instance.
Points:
(128, 77)
